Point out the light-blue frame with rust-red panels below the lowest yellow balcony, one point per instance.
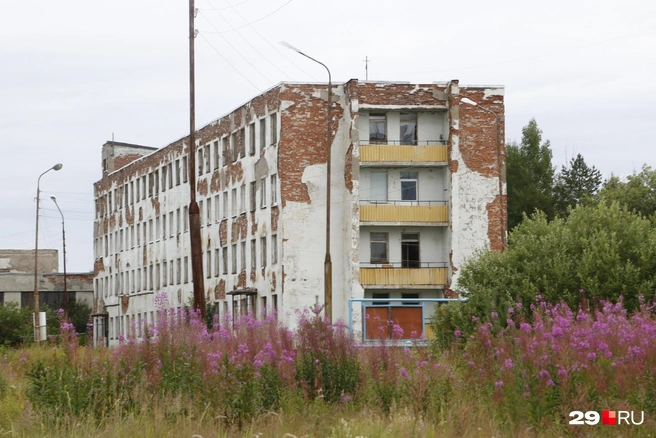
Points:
(395, 320)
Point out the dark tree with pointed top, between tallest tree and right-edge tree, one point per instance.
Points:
(575, 184)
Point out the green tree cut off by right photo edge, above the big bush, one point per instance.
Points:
(637, 192)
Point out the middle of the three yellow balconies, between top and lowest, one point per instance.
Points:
(398, 212)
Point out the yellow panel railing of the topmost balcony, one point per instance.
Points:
(389, 153)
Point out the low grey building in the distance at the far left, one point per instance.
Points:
(17, 279)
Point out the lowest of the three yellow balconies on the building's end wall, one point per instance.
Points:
(398, 274)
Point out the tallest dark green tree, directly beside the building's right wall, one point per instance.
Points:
(530, 176)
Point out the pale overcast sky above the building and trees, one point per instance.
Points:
(73, 73)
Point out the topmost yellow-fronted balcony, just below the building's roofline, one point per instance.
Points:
(384, 153)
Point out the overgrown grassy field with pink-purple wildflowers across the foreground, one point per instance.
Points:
(520, 374)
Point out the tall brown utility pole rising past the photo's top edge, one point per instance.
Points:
(194, 214)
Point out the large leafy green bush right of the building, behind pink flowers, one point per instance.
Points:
(603, 249)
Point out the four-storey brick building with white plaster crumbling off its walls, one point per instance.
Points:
(417, 186)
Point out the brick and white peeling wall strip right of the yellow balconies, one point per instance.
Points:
(476, 219)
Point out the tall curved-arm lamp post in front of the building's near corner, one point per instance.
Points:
(328, 265)
